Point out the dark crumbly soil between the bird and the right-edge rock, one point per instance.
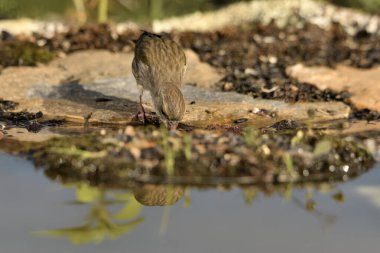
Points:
(256, 57)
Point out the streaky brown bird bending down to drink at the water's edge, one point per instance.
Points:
(159, 65)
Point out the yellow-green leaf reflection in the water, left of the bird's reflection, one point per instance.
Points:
(101, 224)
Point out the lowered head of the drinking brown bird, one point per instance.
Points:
(170, 106)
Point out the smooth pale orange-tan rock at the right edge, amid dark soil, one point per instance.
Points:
(362, 84)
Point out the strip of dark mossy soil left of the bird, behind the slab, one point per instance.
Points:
(29, 51)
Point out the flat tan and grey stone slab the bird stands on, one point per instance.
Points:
(100, 83)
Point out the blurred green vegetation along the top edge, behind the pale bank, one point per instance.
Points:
(130, 10)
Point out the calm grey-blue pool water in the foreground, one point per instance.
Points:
(215, 221)
